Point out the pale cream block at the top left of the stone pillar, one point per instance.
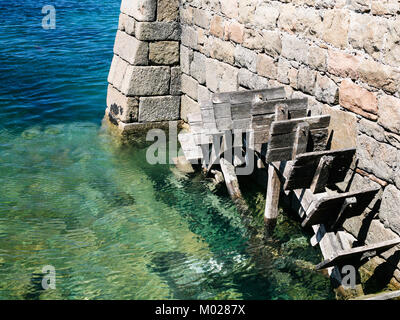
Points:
(141, 10)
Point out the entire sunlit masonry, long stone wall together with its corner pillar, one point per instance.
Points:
(344, 55)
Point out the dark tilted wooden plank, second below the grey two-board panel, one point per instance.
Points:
(326, 210)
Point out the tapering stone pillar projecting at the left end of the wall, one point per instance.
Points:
(144, 79)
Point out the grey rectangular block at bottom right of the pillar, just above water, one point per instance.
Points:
(159, 108)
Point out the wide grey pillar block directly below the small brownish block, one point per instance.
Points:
(146, 81)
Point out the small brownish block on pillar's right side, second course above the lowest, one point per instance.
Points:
(164, 52)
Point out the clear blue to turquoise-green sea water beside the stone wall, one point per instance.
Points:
(113, 226)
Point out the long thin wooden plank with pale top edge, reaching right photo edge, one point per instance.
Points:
(357, 255)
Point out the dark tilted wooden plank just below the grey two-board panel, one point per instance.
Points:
(302, 171)
